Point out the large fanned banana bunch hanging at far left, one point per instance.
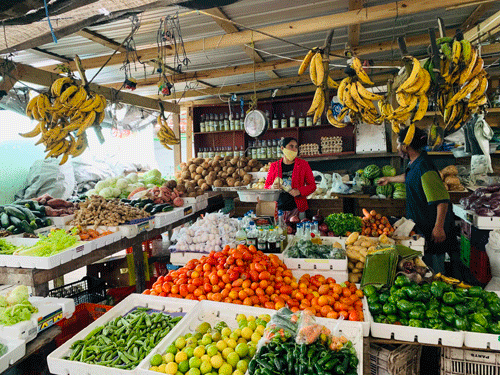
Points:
(64, 115)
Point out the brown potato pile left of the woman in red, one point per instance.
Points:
(198, 175)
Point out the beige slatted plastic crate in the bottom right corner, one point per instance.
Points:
(465, 362)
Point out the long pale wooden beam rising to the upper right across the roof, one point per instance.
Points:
(287, 29)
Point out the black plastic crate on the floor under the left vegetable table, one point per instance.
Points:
(87, 290)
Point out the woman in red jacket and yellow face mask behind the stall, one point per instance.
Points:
(296, 174)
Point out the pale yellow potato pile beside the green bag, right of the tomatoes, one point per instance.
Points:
(357, 247)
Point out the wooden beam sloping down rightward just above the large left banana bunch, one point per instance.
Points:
(36, 76)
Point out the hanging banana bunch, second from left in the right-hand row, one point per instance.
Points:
(356, 99)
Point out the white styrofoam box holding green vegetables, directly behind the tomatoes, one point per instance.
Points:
(316, 264)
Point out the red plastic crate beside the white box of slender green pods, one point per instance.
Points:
(85, 313)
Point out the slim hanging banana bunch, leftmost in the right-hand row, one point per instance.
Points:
(314, 61)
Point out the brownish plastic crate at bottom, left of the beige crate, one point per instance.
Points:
(395, 359)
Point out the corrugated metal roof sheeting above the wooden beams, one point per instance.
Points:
(255, 14)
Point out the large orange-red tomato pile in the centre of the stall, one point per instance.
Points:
(249, 277)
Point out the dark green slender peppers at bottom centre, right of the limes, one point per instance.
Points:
(291, 358)
